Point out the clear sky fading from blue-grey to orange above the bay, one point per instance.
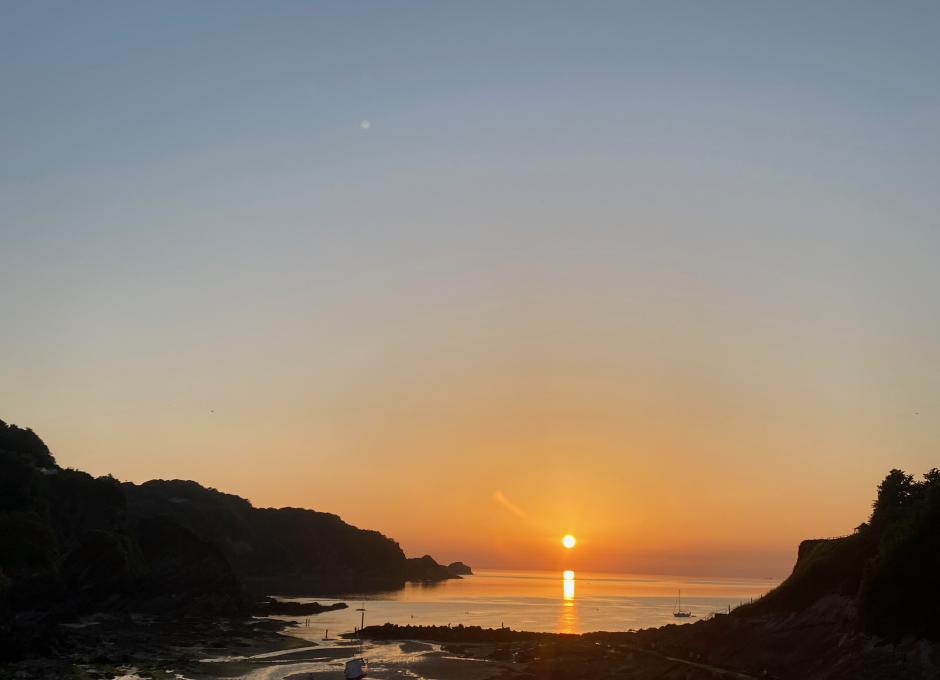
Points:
(476, 275)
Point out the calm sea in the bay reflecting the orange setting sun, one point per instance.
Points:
(539, 601)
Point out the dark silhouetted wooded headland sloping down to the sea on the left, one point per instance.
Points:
(72, 544)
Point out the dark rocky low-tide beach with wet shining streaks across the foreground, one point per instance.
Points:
(820, 642)
